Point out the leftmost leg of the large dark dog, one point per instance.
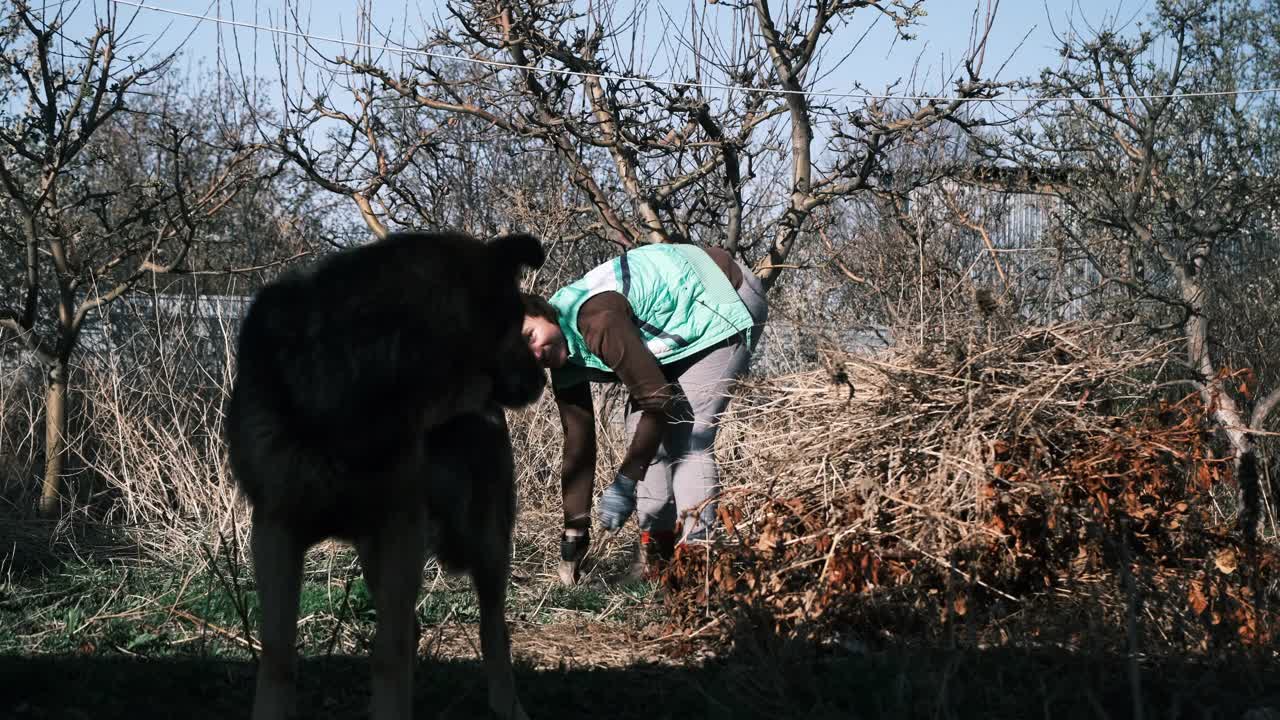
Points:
(278, 571)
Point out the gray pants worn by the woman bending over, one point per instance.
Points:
(684, 473)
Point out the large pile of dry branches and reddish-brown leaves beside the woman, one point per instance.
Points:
(976, 479)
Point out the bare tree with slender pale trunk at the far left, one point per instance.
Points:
(94, 216)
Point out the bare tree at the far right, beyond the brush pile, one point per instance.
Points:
(1171, 184)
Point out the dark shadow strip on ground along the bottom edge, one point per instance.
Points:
(902, 685)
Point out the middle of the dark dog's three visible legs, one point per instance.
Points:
(394, 559)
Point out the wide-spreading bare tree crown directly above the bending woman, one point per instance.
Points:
(732, 149)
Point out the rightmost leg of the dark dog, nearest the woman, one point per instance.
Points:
(490, 578)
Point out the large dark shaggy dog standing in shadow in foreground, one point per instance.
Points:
(368, 407)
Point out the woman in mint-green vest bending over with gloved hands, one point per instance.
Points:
(676, 325)
